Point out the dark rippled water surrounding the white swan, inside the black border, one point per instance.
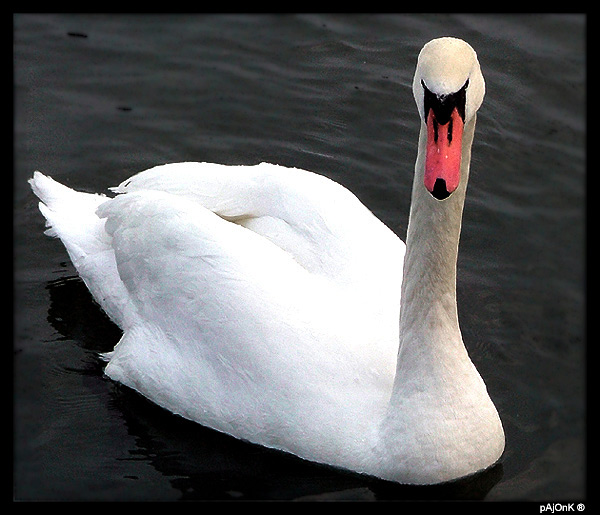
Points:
(98, 98)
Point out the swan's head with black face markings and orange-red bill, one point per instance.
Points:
(449, 89)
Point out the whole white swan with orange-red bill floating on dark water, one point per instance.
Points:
(270, 304)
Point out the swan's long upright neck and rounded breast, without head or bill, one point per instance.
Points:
(440, 423)
